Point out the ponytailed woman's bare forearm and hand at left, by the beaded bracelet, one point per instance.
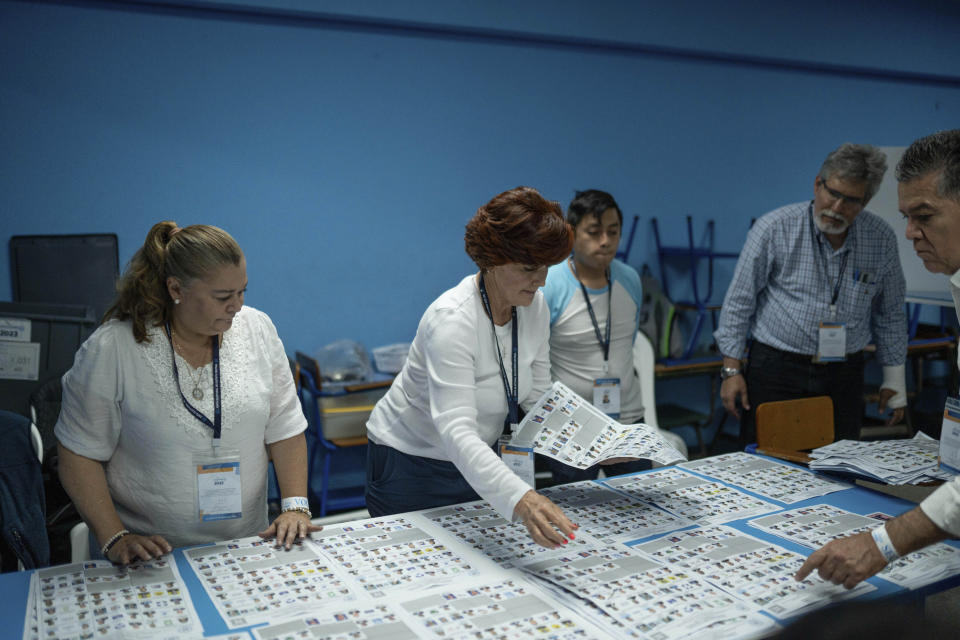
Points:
(86, 483)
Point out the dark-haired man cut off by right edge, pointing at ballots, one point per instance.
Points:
(929, 194)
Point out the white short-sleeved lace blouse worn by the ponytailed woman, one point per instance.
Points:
(121, 406)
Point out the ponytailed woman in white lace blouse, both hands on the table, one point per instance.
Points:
(175, 405)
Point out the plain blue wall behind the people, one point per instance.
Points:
(346, 144)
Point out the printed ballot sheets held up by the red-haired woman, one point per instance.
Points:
(565, 427)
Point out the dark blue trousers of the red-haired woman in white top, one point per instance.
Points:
(398, 482)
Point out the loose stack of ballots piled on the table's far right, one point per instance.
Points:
(907, 461)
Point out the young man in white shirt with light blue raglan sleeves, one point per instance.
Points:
(589, 353)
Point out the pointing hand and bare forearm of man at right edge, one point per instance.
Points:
(847, 561)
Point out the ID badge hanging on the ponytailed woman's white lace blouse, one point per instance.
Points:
(219, 495)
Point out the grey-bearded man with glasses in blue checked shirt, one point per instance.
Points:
(816, 282)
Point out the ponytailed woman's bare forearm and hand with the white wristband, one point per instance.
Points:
(290, 461)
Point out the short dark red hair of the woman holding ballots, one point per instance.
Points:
(518, 226)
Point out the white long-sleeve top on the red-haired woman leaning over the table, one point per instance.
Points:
(448, 403)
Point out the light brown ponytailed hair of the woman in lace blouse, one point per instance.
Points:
(186, 254)
